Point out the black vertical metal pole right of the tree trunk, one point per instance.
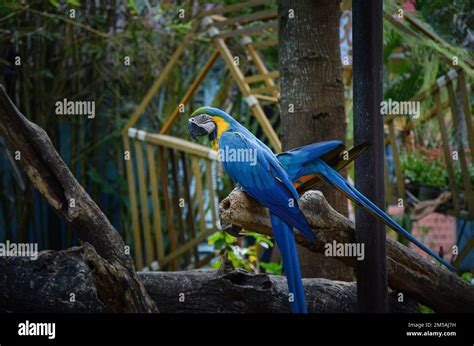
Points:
(368, 126)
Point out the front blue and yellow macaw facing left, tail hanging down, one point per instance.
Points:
(266, 181)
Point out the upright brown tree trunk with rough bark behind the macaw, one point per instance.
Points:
(312, 96)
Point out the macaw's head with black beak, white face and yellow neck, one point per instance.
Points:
(209, 121)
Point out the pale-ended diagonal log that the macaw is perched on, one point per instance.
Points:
(408, 272)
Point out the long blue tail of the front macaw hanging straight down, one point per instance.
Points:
(285, 239)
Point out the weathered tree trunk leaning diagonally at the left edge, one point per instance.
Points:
(114, 273)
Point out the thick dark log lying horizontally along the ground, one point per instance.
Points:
(60, 282)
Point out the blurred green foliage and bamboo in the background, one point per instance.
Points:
(85, 58)
